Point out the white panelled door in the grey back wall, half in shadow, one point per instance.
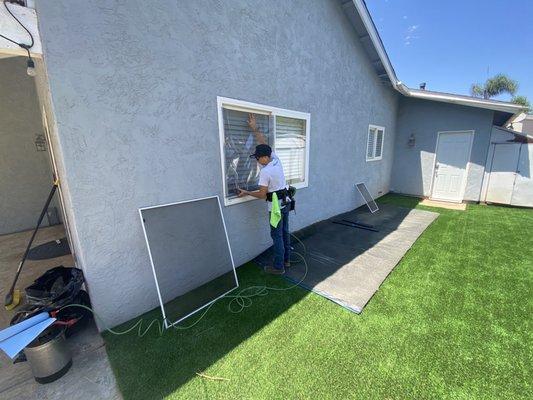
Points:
(451, 160)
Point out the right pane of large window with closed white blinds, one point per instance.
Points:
(290, 145)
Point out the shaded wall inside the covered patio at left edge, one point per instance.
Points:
(25, 173)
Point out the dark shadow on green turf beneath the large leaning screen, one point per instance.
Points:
(155, 366)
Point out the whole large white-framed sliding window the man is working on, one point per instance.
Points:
(287, 132)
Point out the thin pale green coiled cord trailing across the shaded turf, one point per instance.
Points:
(242, 299)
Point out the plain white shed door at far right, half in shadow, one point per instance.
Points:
(503, 173)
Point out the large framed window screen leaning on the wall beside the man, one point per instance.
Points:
(190, 255)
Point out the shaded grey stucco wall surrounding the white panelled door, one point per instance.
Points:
(413, 166)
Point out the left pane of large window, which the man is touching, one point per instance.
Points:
(241, 171)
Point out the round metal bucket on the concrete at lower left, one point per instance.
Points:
(49, 356)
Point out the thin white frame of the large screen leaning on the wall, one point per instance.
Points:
(166, 323)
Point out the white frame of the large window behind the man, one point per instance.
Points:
(247, 106)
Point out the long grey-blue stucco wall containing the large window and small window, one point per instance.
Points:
(136, 116)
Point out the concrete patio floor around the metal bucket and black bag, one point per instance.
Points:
(90, 376)
